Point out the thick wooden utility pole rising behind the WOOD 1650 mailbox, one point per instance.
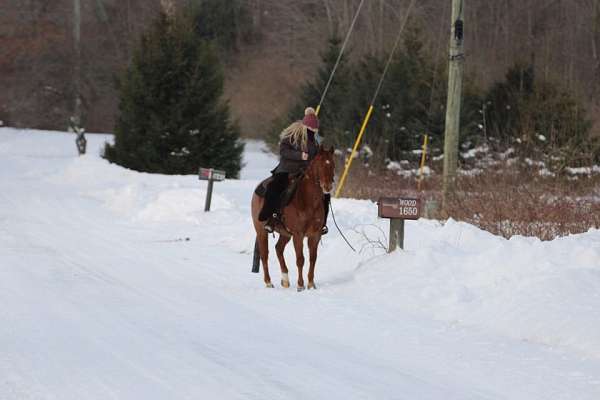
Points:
(455, 76)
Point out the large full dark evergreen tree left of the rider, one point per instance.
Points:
(171, 118)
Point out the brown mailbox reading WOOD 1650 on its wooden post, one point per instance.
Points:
(398, 210)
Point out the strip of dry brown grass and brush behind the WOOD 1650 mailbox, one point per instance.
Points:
(507, 202)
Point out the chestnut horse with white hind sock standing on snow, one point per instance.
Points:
(302, 218)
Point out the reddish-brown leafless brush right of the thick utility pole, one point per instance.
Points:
(511, 203)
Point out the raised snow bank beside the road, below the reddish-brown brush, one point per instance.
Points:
(543, 292)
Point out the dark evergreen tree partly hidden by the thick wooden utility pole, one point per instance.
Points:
(412, 102)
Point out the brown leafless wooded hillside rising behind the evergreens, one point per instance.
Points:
(271, 47)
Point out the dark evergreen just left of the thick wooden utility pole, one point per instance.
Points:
(408, 105)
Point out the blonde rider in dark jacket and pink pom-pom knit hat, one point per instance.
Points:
(298, 145)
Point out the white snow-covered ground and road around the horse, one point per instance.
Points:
(102, 296)
